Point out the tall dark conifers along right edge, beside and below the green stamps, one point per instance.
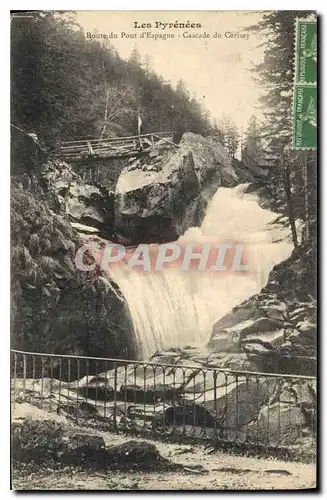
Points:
(295, 174)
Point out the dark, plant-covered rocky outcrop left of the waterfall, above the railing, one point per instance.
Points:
(57, 308)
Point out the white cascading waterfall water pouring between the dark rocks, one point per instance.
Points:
(173, 308)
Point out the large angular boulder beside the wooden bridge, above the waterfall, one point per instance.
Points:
(158, 197)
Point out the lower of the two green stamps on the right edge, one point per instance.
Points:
(305, 117)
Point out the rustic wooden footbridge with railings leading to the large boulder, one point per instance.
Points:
(118, 147)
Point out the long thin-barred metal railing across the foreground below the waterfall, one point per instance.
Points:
(186, 401)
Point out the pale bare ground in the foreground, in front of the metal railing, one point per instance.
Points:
(192, 467)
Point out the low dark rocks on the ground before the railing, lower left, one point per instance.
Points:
(51, 444)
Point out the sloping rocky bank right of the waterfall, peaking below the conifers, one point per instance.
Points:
(275, 329)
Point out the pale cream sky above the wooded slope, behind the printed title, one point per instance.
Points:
(215, 69)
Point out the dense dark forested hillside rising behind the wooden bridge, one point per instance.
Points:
(65, 86)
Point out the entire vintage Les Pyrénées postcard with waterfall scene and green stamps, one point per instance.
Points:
(163, 250)
